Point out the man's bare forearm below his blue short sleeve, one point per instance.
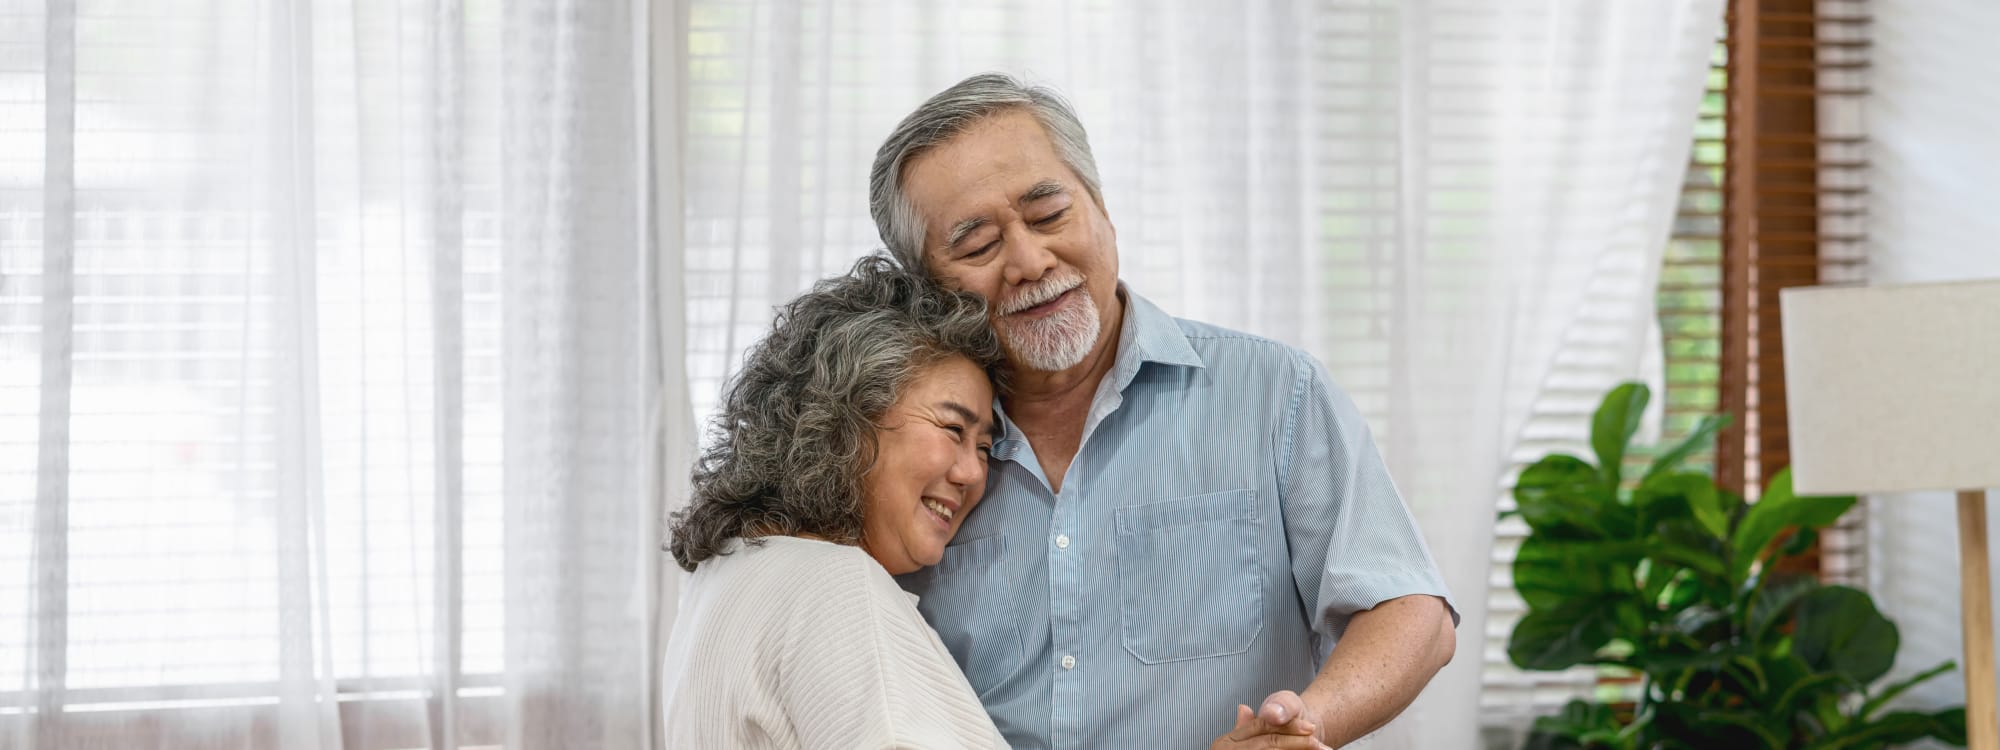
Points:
(1381, 665)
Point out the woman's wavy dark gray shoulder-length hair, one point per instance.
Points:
(797, 425)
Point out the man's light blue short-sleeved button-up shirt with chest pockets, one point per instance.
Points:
(1223, 521)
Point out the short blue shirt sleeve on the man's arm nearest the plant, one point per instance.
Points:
(1355, 543)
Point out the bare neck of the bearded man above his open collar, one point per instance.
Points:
(1051, 407)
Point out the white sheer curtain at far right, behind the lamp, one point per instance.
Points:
(1931, 117)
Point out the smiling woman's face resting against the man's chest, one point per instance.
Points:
(931, 465)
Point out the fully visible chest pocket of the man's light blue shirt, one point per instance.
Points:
(1189, 583)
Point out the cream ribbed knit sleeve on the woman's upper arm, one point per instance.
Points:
(863, 669)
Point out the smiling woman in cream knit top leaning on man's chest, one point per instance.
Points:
(847, 451)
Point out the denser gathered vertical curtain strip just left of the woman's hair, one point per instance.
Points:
(581, 387)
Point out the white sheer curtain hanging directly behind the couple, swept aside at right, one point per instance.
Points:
(1457, 205)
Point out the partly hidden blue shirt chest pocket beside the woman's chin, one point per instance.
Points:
(967, 599)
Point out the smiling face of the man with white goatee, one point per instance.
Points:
(1005, 219)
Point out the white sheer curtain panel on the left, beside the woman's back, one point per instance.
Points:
(331, 381)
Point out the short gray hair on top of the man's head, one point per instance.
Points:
(943, 119)
